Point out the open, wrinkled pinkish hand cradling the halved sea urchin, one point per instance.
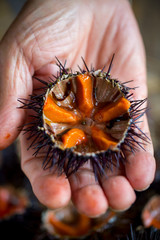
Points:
(71, 29)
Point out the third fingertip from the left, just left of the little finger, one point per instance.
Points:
(119, 192)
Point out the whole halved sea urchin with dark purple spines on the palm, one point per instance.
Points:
(84, 116)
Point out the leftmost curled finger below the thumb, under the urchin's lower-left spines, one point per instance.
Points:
(51, 190)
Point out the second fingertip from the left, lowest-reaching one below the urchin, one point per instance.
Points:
(87, 194)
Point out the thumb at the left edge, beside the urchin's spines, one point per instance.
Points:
(15, 82)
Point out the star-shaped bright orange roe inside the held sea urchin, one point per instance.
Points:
(84, 120)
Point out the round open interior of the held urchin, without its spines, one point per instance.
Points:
(74, 106)
